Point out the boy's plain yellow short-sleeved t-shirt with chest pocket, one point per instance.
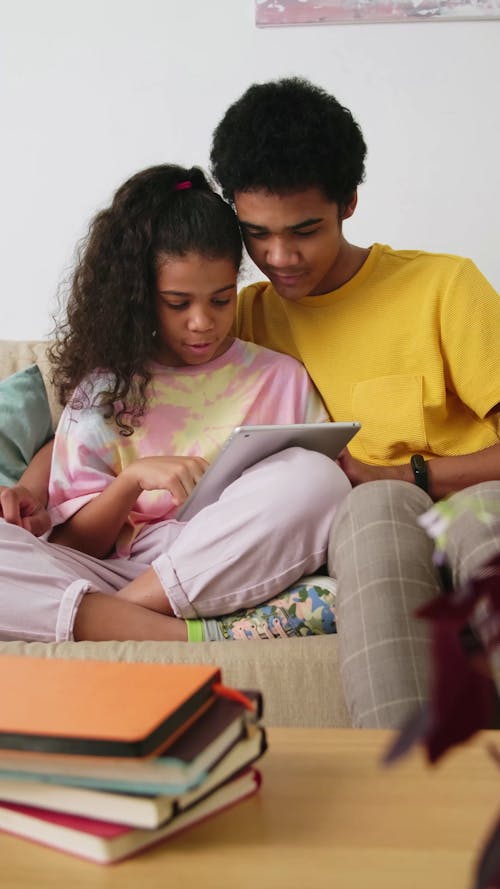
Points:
(409, 347)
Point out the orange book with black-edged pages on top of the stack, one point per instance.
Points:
(99, 707)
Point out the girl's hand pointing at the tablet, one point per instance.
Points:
(178, 475)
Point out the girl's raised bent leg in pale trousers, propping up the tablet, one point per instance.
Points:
(268, 529)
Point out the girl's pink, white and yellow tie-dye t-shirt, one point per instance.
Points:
(191, 411)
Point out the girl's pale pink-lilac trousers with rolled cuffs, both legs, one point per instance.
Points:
(270, 527)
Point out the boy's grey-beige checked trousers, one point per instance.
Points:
(382, 559)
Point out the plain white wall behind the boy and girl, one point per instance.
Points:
(92, 91)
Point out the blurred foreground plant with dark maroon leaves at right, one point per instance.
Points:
(465, 649)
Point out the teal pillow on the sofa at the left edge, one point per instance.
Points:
(25, 421)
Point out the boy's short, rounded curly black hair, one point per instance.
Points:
(288, 135)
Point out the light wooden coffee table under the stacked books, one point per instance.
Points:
(328, 815)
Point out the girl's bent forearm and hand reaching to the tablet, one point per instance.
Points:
(94, 529)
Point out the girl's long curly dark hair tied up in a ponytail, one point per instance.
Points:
(109, 316)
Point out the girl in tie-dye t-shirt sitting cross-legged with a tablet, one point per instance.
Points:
(153, 382)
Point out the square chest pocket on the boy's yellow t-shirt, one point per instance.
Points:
(391, 413)
